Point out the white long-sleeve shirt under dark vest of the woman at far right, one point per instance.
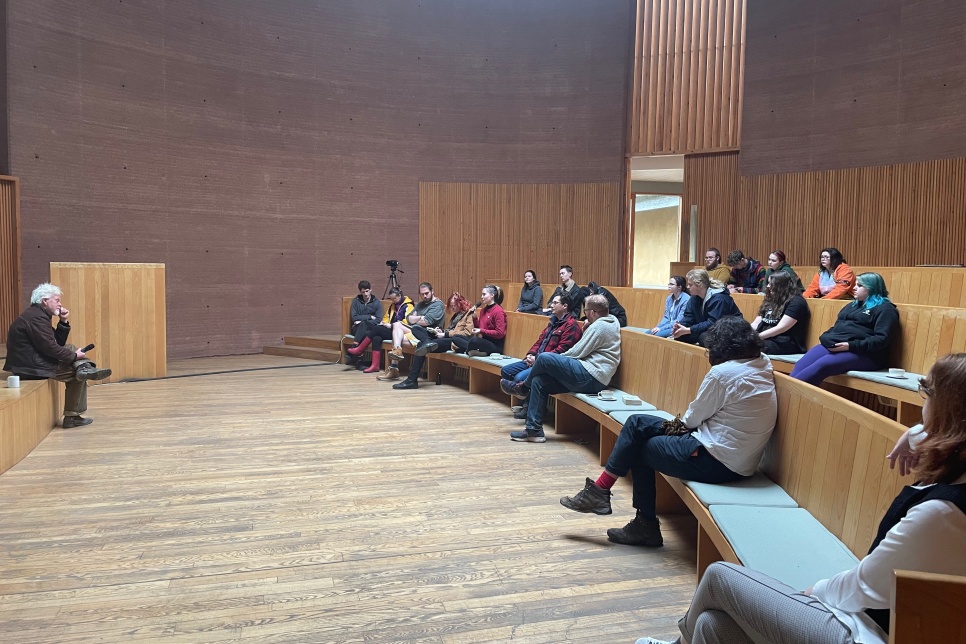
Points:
(930, 538)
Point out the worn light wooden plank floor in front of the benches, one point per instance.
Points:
(314, 504)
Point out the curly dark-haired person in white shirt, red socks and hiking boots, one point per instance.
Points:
(730, 422)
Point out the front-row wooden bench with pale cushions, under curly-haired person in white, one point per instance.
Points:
(827, 454)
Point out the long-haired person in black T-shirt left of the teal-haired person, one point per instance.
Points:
(782, 320)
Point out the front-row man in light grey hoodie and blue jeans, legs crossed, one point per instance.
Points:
(586, 367)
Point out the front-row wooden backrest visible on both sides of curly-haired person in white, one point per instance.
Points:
(826, 452)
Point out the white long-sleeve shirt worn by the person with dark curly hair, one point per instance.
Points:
(735, 411)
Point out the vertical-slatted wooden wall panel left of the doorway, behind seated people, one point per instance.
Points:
(470, 233)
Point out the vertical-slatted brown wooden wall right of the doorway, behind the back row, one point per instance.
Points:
(898, 215)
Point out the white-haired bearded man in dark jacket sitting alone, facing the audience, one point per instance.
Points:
(38, 351)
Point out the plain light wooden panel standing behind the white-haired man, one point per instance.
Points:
(121, 309)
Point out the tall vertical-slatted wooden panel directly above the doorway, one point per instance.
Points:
(688, 68)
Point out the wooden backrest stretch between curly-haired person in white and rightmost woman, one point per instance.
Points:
(829, 455)
